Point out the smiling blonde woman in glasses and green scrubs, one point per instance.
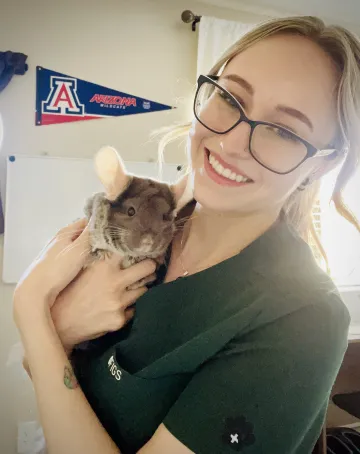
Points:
(241, 353)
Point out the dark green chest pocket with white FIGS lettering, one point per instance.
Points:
(130, 407)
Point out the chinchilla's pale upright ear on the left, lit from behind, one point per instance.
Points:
(111, 171)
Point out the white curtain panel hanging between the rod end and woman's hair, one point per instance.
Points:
(215, 36)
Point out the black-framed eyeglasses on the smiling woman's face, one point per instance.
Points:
(274, 147)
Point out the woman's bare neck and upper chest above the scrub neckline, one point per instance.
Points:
(210, 237)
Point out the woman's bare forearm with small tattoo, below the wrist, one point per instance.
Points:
(70, 426)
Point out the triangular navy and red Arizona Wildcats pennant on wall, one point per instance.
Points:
(62, 99)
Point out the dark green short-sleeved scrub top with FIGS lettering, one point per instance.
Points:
(239, 357)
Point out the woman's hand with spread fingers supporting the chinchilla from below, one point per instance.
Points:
(97, 301)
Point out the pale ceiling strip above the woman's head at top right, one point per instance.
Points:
(344, 12)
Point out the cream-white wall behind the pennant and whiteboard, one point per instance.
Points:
(140, 47)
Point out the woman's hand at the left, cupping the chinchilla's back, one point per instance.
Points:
(55, 267)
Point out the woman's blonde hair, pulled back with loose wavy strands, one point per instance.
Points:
(344, 49)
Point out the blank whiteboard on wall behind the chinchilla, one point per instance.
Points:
(44, 194)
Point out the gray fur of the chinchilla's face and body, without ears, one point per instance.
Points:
(113, 231)
